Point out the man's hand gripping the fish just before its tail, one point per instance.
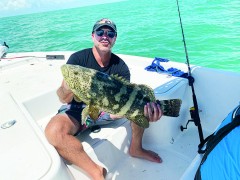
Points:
(152, 111)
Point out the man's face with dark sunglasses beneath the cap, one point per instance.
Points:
(104, 38)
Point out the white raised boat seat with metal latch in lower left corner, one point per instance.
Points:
(23, 145)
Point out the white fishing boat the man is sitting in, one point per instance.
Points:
(28, 100)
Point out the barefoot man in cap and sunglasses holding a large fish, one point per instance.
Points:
(61, 129)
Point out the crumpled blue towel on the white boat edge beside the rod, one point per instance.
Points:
(156, 67)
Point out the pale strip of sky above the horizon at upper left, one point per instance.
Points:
(18, 7)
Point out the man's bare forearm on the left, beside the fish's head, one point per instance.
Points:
(64, 93)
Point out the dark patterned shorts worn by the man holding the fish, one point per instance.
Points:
(75, 111)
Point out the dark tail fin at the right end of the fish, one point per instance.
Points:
(170, 107)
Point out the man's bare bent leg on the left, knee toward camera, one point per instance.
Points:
(59, 132)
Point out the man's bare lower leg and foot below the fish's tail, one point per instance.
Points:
(136, 149)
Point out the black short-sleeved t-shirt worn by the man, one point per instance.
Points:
(86, 59)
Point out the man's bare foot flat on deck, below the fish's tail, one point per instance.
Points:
(145, 154)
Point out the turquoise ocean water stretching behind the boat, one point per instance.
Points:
(147, 28)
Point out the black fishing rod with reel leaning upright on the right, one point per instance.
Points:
(194, 111)
